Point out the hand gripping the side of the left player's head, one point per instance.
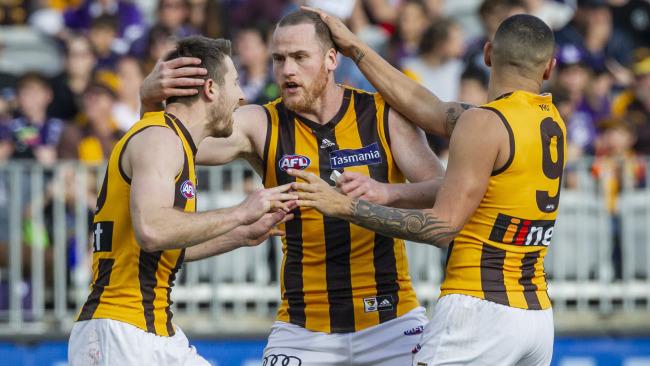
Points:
(174, 78)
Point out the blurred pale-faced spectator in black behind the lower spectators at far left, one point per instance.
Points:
(70, 84)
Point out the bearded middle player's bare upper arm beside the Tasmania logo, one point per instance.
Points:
(411, 151)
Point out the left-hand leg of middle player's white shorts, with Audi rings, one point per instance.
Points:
(291, 345)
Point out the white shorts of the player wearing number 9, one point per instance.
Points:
(466, 330)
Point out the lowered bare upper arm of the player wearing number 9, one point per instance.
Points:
(473, 151)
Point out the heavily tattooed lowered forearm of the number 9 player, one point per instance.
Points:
(413, 225)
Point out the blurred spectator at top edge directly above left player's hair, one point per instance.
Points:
(171, 14)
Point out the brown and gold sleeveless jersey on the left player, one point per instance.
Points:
(129, 284)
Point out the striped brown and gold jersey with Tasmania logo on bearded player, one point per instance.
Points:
(337, 277)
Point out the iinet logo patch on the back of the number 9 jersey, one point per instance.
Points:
(517, 231)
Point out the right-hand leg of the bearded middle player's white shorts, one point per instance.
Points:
(390, 343)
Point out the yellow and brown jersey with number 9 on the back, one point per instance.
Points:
(499, 254)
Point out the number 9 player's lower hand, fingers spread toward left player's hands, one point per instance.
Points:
(316, 193)
